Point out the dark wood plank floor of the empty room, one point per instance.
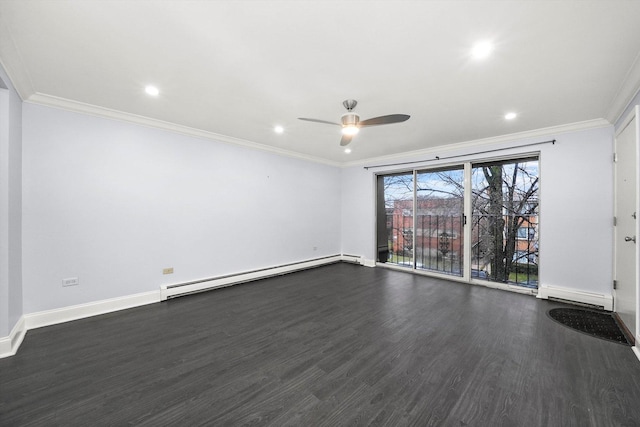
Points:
(335, 345)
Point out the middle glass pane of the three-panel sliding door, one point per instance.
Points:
(439, 240)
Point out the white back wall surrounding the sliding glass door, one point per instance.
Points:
(576, 222)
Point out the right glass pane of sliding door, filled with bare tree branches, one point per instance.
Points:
(504, 241)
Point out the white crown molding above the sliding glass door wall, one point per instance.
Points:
(476, 143)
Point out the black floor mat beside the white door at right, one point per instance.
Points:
(599, 324)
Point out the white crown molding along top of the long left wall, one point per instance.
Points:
(94, 110)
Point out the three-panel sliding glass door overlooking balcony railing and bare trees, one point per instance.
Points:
(422, 224)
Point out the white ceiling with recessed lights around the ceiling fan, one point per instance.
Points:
(238, 68)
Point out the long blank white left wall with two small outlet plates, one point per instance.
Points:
(114, 203)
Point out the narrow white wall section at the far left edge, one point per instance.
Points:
(10, 206)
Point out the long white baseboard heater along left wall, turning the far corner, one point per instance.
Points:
(201, 285)
